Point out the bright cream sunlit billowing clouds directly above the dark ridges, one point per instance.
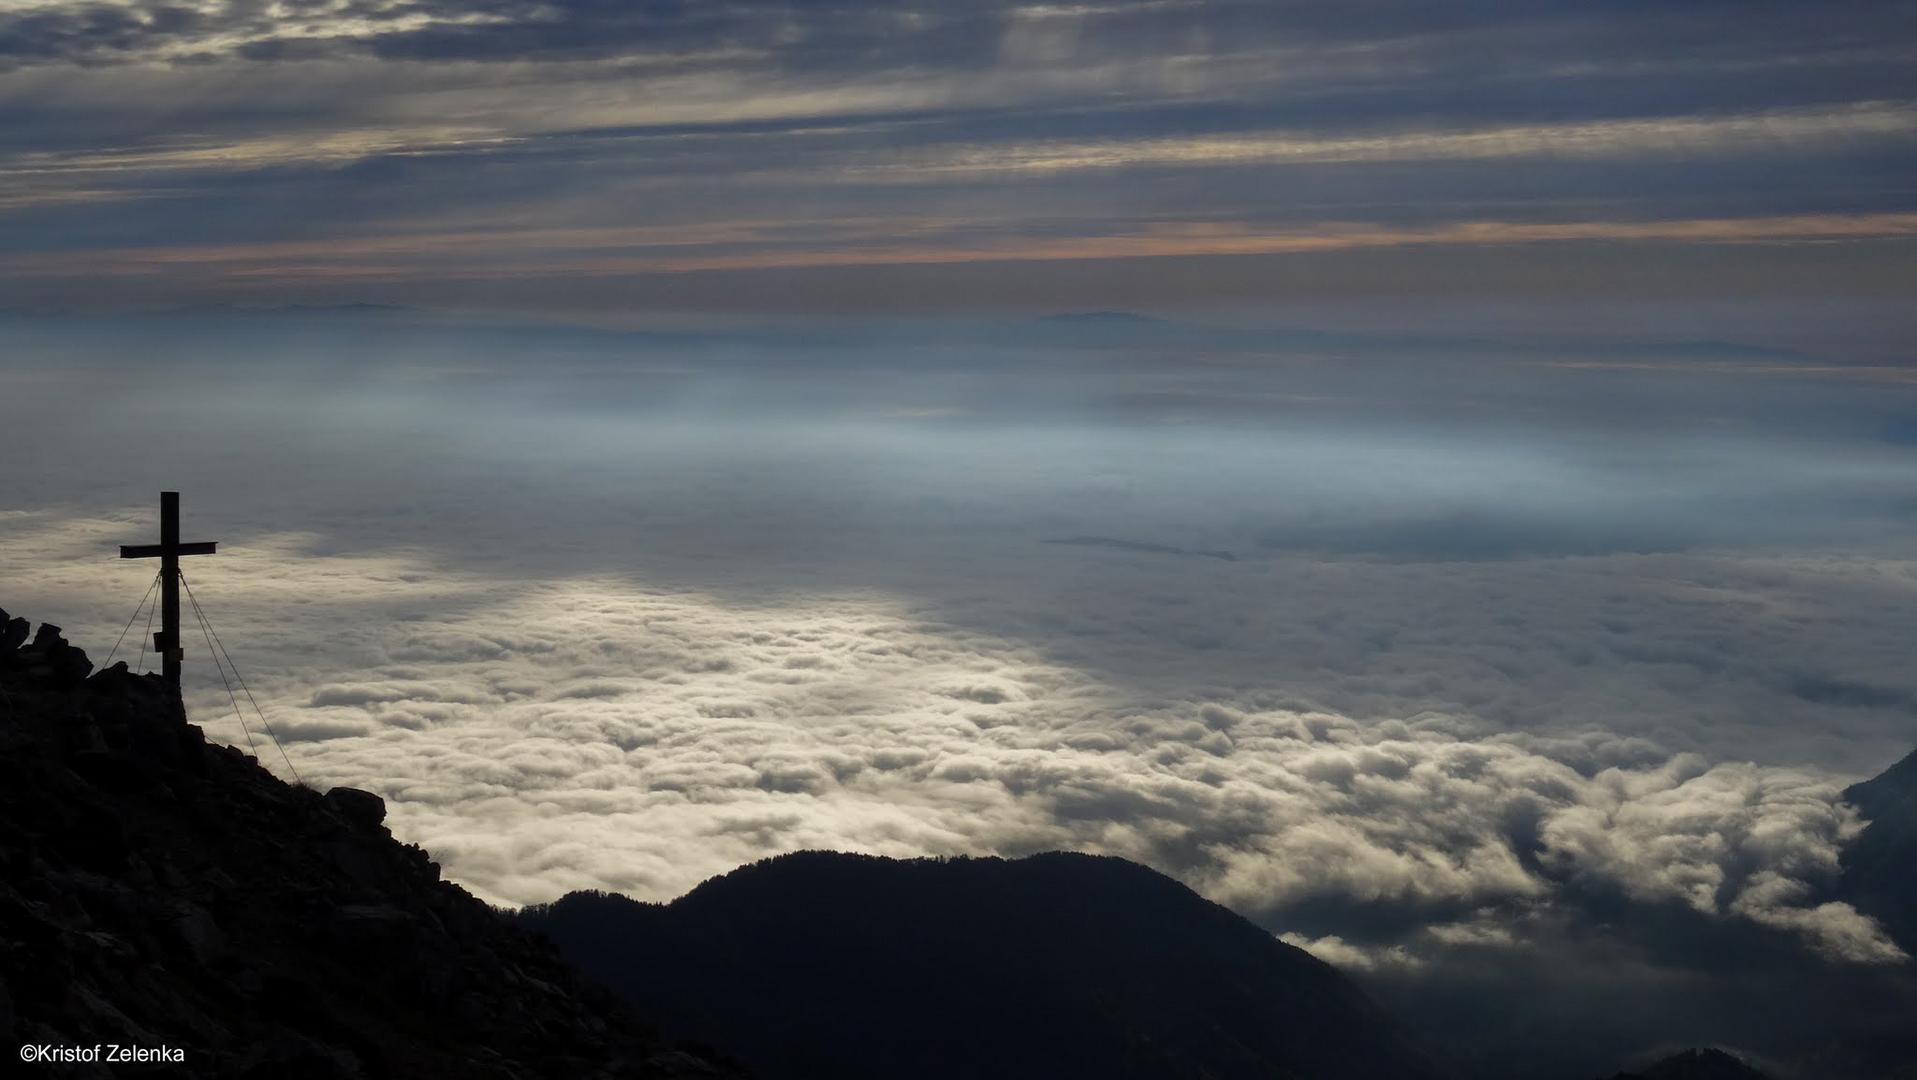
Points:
(601, 736)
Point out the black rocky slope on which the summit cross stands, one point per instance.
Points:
(158, 891)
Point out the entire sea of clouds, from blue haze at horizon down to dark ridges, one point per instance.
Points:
(609, 624)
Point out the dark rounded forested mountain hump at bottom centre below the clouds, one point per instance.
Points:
(852, 968)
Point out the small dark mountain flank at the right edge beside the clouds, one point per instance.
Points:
(1882, 864)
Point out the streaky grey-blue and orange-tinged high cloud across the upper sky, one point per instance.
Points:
(929, 135)
